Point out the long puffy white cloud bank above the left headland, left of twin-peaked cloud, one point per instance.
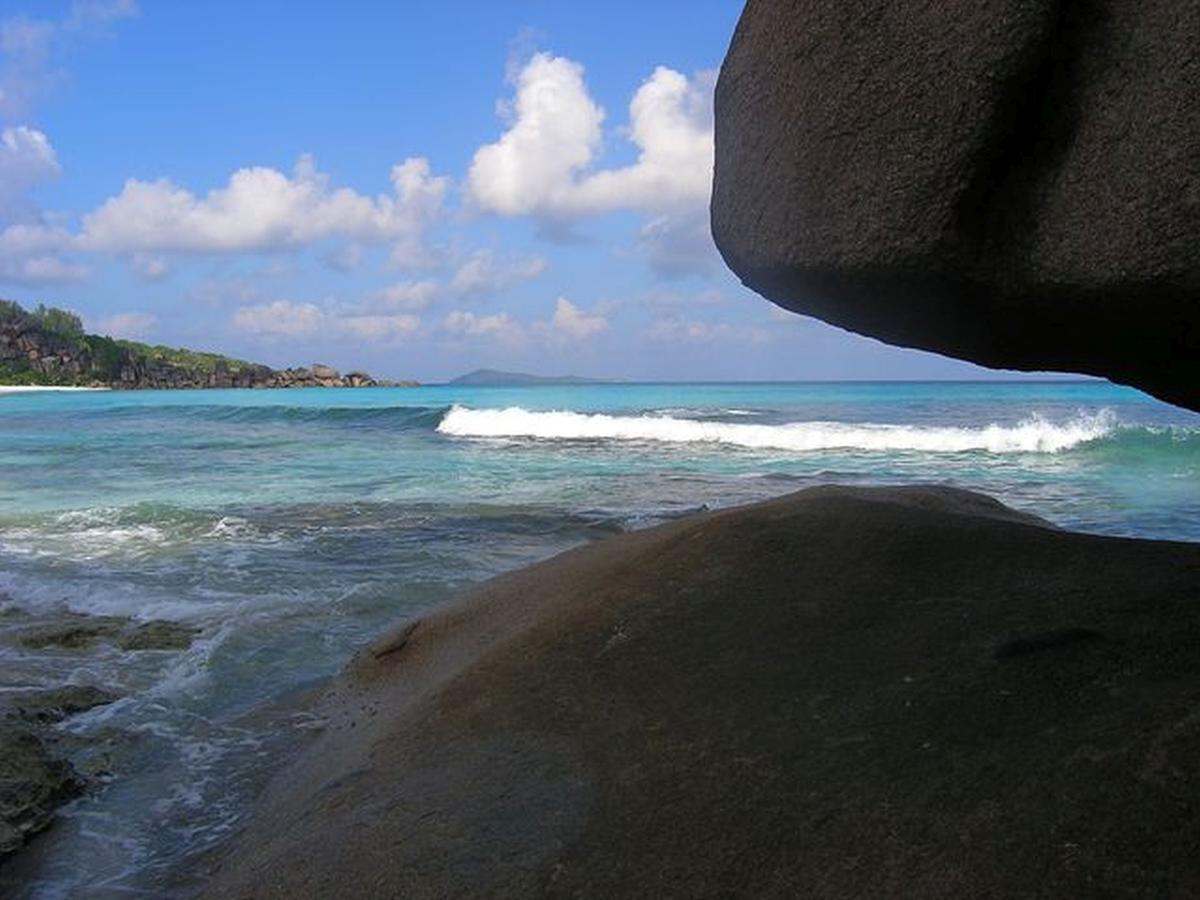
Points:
(263, 209)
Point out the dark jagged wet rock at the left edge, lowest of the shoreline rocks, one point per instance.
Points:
(34, 784)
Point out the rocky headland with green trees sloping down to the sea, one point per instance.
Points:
(49, 347)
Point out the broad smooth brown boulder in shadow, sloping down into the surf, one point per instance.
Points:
(841, 694)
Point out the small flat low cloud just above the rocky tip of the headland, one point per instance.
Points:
(287, 320)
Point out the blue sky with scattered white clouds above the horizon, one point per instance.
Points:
(417, 190)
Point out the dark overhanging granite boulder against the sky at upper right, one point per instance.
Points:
(1010, 182)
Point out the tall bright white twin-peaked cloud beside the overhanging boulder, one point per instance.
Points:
(541, 165)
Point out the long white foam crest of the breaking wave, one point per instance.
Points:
(1034, 435)
